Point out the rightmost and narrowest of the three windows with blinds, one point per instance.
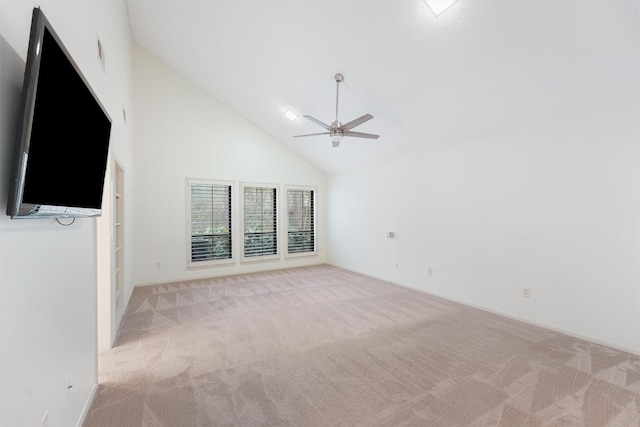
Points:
(301, 227)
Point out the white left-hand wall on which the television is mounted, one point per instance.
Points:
(47, 271)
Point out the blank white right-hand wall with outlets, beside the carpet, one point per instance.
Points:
(553, 207)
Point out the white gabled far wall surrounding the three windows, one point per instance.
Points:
(181, 132)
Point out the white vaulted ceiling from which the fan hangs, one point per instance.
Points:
(483, 65)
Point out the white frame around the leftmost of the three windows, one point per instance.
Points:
(188, 239)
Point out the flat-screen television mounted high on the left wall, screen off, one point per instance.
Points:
(62, 152)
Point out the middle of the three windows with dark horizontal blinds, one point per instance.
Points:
(260, 221)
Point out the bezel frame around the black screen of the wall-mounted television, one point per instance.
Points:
(16, 207)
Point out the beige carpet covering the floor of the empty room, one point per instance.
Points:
(322, 346)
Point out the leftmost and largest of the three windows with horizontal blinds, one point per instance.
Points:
(209, 221)
